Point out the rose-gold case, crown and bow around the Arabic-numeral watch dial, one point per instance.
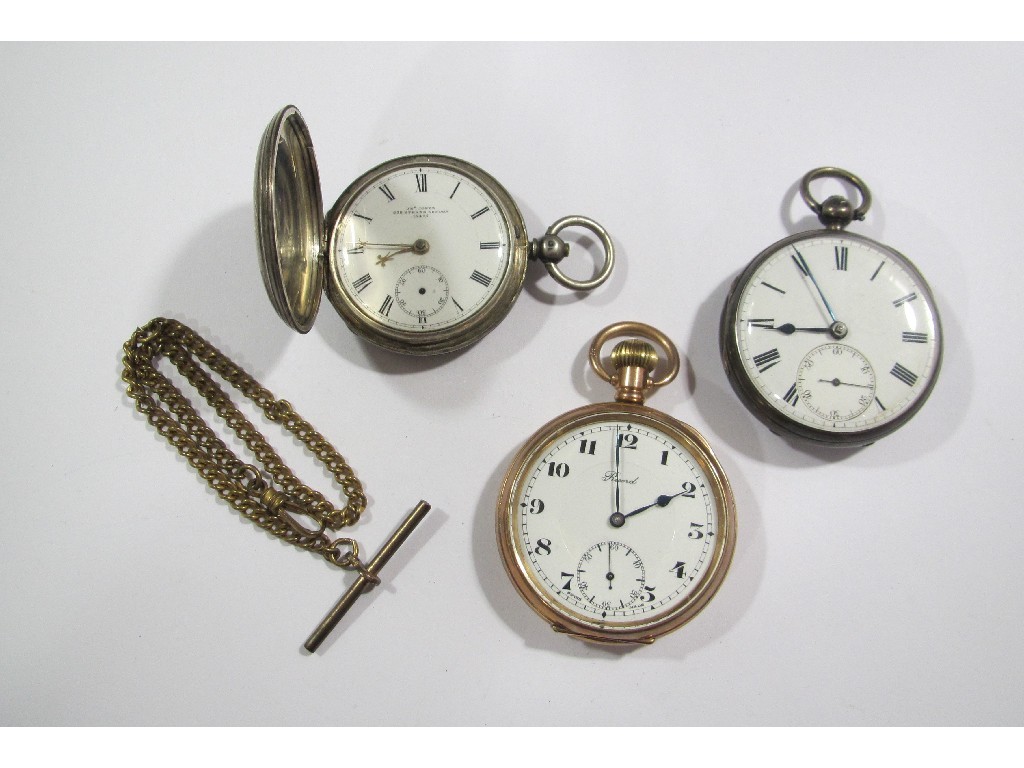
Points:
(632, 385)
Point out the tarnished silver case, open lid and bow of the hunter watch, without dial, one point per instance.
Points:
(296, 244)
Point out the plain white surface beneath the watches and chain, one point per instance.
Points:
(873, 587)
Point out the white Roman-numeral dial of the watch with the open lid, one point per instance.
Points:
(421, 249)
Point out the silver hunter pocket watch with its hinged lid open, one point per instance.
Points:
(423, 254)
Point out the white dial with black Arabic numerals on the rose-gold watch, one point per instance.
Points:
(616, 522)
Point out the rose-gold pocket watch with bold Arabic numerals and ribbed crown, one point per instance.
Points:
(616, 523)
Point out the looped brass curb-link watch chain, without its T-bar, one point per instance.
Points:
(272, 506)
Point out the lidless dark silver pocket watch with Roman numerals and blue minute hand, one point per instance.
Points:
(830, 336)
